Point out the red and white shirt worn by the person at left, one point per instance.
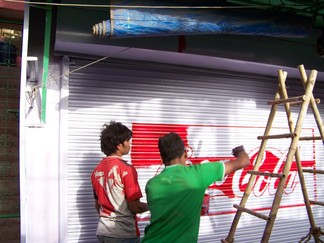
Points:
(115, 183)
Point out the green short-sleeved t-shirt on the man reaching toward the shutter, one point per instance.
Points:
(175, 199)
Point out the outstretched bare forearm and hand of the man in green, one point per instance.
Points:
(242, 160)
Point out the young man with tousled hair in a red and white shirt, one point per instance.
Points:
(116, 189)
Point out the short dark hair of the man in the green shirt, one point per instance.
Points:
(171, 147)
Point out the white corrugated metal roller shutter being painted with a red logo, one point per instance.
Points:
(214, 111)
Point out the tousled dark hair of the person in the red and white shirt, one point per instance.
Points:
(113, 134)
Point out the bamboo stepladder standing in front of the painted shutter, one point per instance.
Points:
(281, 97)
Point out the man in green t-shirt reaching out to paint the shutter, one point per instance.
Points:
(175, 195)
